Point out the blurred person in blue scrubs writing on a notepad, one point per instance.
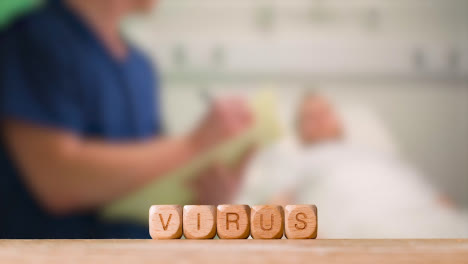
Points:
(80, 121)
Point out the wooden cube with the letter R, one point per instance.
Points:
(233, 221)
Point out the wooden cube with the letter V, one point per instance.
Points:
(165, 221)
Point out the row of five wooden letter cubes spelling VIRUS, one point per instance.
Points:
(233, 221)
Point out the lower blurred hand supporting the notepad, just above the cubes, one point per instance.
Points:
(219, 184)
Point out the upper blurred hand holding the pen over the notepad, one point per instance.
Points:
(226, 119)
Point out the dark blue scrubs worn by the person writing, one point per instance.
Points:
(54, 72)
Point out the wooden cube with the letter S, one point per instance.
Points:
(301, 221)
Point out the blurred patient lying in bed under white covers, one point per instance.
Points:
(361, 190)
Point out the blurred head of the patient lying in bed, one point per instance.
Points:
(317, 120)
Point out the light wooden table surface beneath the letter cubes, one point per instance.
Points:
(234, 251)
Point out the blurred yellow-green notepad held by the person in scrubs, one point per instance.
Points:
(170, 189)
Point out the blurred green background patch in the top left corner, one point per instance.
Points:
(9, 9)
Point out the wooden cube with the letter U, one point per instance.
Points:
(267, 222)
